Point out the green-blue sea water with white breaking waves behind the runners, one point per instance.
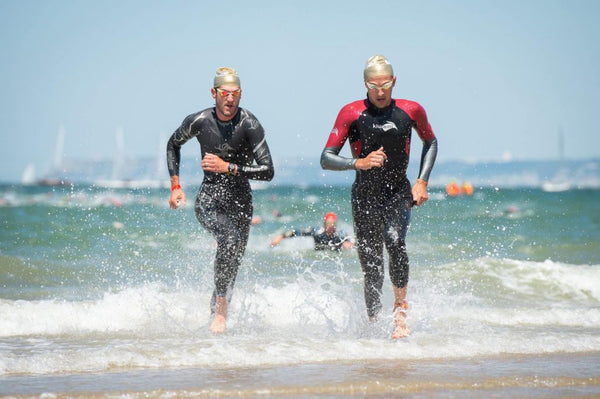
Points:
(96, 281)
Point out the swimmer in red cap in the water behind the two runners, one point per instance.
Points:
(326, 238)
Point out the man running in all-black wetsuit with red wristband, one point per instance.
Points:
(231, 140)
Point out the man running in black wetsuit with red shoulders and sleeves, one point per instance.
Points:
(379, 130)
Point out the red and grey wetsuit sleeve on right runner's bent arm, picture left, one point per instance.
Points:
(330, 158)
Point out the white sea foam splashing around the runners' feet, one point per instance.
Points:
(312, 317)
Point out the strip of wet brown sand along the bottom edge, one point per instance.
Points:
(522, 376)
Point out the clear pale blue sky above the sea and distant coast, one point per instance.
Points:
(498, 79)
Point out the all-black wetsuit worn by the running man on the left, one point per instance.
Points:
(224, 201)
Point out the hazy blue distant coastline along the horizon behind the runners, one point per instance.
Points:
(584, 173)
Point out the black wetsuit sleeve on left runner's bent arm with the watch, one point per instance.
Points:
(263, 170)
